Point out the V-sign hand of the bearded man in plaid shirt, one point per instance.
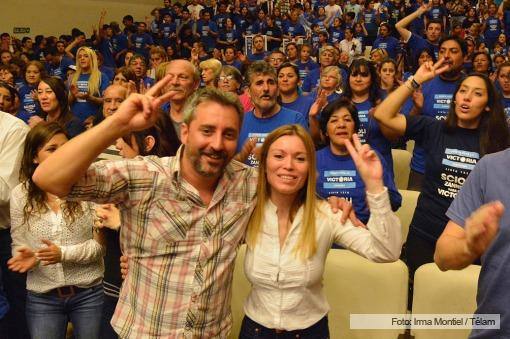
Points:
(140, 111)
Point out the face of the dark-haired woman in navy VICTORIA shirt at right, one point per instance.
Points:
(470, 101)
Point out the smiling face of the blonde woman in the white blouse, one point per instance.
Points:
(287, 167)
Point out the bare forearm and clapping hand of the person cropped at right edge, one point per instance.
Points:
(459, 247)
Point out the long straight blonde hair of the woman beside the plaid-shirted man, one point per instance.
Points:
(307, 243)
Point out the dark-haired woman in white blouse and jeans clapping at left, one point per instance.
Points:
(53, 240)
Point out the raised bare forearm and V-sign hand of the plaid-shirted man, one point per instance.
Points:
(71, 161)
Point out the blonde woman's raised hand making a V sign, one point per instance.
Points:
(368, 164)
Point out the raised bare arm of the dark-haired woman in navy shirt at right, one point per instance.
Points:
(387, 112)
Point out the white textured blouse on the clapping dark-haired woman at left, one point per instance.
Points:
(82, 256)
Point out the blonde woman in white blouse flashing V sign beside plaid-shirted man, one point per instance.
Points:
(291, 232)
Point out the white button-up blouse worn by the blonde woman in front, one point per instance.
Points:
(287, 291)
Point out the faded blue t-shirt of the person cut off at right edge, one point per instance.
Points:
(489, 181)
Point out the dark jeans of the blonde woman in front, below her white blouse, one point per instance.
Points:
(253, 330)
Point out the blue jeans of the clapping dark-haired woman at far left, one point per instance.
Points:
(48, 314)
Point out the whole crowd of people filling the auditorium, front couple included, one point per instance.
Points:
(174, 139)
